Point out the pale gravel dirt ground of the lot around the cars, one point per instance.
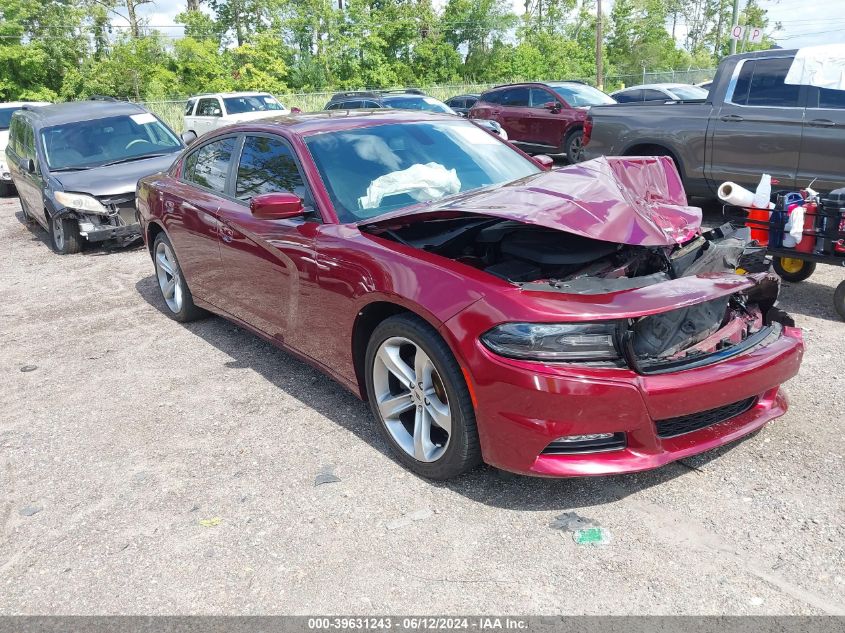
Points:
(151, 467)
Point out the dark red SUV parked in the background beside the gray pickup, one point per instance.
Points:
(543, 118)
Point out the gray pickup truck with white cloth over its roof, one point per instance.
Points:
(751, 122)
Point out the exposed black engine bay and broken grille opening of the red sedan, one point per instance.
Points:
(542, 259)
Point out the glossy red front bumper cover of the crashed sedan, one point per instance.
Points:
(522, 407)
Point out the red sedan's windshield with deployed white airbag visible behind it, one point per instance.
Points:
(371, 171)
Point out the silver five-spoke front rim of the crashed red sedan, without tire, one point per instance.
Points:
(411, 399)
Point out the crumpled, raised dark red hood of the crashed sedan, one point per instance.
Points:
(627, 200)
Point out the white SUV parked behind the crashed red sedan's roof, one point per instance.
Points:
(207, 112)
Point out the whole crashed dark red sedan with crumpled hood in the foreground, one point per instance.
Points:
(558, 323)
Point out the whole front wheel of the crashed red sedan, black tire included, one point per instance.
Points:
(418, 394)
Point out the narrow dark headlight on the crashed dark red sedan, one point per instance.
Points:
(553, 341)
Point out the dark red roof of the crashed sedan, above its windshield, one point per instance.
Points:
(337, 120)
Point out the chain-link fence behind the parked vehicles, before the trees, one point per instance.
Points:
(172, 110)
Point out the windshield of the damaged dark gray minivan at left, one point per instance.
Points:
(84, 144)
